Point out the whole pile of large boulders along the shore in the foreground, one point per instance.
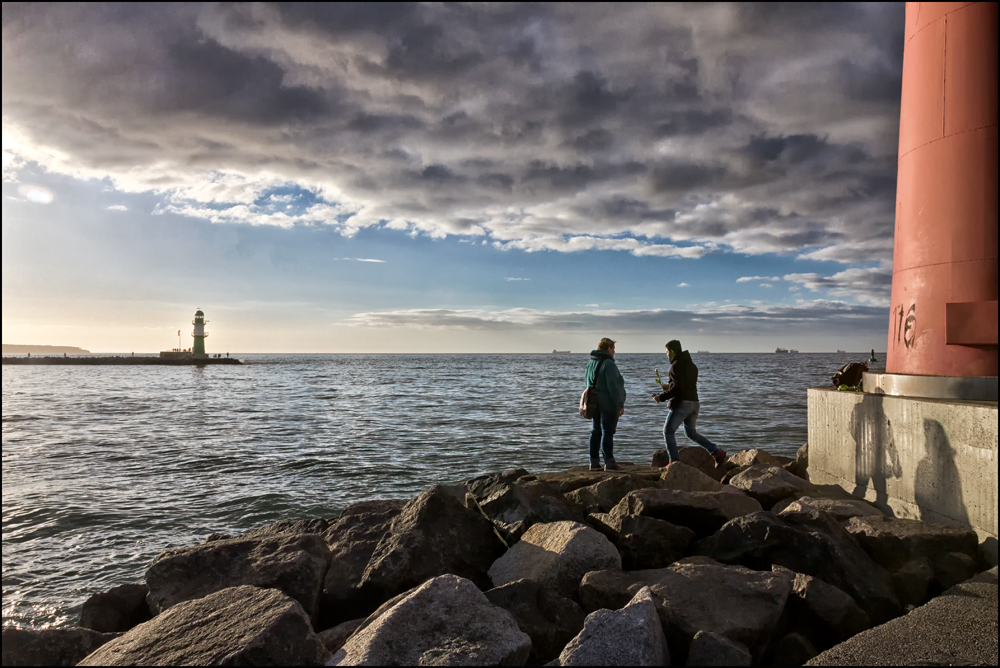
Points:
(688, 564)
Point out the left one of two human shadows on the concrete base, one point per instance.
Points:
(876, 457)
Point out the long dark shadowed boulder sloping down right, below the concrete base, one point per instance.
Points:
(809, 542)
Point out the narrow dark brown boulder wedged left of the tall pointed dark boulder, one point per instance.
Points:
(352, 539)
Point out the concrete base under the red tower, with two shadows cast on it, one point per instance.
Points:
(914, 457)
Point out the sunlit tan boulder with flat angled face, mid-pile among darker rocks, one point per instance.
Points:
(557, 555)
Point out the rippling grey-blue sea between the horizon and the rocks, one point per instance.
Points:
(105, 467)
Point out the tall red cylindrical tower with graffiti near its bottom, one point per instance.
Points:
(943, 319)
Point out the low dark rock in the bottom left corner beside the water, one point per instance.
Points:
(50, 647)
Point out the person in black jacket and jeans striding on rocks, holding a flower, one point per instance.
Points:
(681, 390)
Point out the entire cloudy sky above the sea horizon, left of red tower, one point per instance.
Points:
(380, 177)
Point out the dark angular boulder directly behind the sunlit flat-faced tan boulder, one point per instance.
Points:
(514, 506)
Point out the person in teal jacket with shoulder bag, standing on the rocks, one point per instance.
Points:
(603, 373)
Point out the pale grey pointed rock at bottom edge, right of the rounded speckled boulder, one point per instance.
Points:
(631, 636)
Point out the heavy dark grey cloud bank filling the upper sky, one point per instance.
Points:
(747, 127)
